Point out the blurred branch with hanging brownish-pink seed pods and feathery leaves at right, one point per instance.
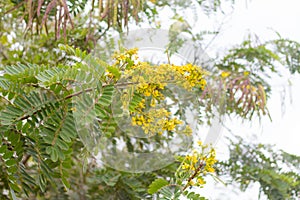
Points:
(246, 72)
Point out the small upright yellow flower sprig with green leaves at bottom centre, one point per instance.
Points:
(190, 174)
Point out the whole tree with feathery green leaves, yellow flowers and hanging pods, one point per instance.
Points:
(60, 104)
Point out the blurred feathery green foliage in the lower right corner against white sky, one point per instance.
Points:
(276, 171)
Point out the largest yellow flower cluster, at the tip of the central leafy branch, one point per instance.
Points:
(149, 82)
